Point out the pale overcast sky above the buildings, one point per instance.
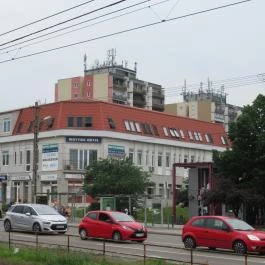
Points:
(180, 43)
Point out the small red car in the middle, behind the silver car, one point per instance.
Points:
(111, 225)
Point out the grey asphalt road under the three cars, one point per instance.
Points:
(165, 244)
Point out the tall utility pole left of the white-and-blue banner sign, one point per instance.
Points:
(35, 153)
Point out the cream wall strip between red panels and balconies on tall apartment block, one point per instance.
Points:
(101, 86)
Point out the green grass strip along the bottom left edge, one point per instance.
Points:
(43, 256)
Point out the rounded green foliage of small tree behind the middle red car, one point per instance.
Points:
(115, 177)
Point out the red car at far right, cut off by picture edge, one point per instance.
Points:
(222, 232)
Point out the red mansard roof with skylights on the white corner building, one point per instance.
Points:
(100, 112)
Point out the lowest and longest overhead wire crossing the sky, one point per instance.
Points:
(127, 30)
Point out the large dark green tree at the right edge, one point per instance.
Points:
(240, 171)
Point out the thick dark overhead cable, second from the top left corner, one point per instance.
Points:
(63, 22)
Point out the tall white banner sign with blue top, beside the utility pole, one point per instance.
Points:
(50, 157)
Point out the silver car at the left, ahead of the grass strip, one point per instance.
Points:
(34, 217)
